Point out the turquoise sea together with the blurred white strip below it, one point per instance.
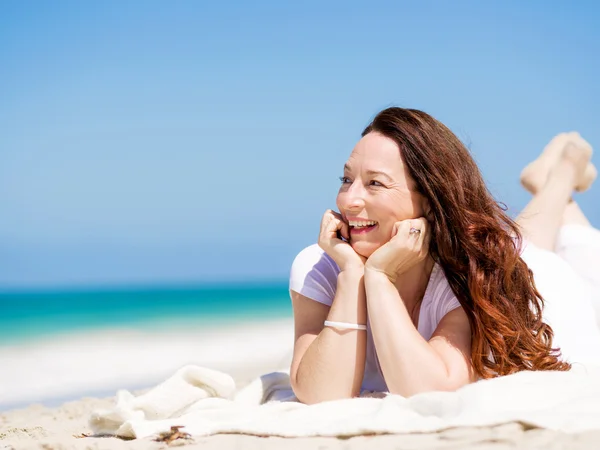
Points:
(60, 345)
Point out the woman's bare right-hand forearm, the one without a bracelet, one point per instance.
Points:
(409, 363)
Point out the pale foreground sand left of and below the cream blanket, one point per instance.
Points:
(39, 427)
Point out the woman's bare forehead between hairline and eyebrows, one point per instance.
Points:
(376, 152)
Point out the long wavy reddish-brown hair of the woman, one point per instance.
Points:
(477, 245)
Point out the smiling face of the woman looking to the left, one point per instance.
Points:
(376, 192)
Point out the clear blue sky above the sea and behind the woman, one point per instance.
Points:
(165, 142)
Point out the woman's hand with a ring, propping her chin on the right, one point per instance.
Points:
(408, 246)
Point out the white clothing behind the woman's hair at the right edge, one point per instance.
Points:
(569, 282)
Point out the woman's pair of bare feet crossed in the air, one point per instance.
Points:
(535, 174)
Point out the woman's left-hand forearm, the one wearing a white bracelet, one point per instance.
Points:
(333, 365)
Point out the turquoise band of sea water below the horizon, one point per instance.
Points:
(33, 315)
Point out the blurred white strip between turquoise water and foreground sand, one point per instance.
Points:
(107, 360)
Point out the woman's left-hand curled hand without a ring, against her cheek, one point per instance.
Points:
(341, 252)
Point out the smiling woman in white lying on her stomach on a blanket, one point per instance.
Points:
(422, 282)
